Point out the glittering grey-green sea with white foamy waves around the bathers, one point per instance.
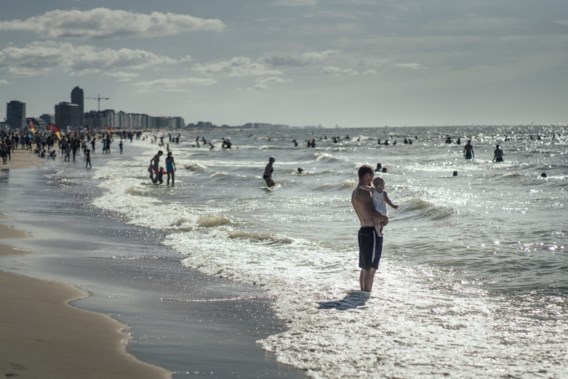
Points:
(473, 280)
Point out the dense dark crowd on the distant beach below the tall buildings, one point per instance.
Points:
(49, 144)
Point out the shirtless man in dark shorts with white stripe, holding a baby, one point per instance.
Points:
(370, 244)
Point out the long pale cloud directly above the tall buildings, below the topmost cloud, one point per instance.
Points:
(40, 58)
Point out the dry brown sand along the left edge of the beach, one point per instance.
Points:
(43, 336)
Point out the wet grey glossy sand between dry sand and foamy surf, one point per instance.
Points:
(179, 319)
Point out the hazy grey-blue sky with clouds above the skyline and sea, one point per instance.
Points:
(348, 63)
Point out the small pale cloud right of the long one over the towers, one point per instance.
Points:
(235, 67)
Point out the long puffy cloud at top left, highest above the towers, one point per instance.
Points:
(109, 23)
